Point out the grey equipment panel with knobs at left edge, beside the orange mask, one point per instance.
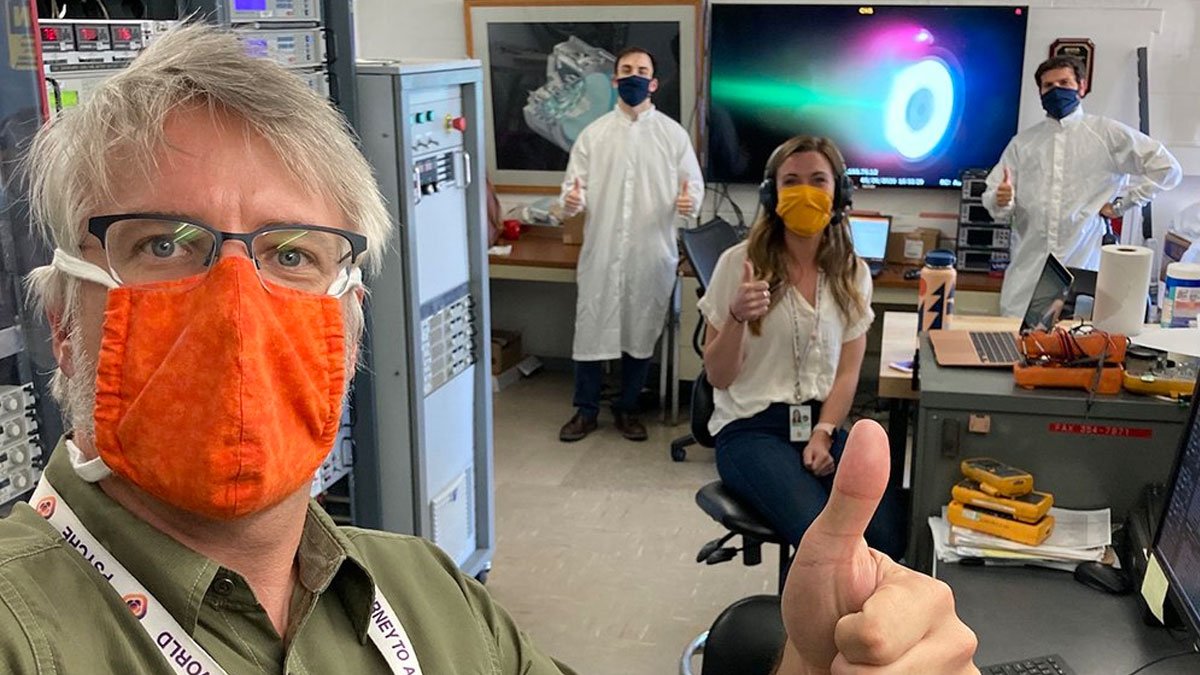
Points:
(21, 457)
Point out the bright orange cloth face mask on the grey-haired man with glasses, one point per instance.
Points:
(219, 399)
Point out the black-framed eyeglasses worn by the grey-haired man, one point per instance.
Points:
(152, 248)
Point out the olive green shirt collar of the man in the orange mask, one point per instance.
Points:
(181, 578)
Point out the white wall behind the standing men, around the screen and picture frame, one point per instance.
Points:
(1169, 28)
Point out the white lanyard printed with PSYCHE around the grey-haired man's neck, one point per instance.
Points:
(183, 654)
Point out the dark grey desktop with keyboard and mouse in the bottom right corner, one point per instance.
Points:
(1024, 612)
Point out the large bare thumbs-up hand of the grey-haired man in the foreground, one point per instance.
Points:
(849, 606)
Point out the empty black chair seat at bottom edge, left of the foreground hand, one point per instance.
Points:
(746, 640)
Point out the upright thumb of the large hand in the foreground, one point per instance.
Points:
(857, 489)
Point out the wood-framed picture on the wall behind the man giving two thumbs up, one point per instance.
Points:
(548, 74)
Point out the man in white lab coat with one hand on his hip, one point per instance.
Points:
(1060, 178)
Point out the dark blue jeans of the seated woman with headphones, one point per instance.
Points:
(761, 467)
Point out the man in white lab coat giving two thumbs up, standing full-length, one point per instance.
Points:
(635, 174)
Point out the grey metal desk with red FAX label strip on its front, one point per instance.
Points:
(1088, 456)
